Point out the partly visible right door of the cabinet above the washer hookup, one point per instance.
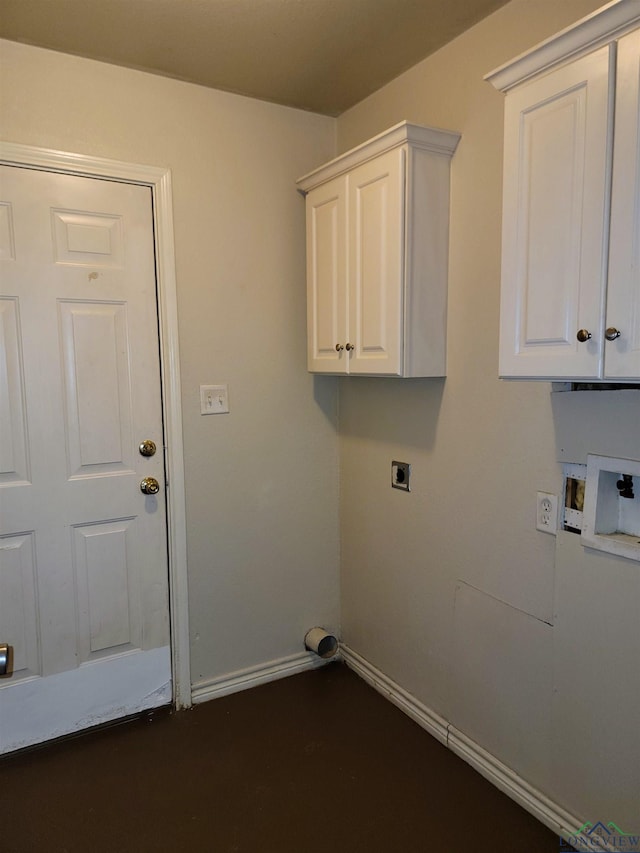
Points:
(622, 355)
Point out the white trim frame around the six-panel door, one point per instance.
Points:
(158, 179)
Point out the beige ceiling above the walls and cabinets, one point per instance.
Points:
(319, 55)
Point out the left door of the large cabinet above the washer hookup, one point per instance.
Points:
(557, 131)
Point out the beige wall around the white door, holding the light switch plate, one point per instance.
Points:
(261, 482)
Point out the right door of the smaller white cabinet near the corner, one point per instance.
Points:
(376, 228)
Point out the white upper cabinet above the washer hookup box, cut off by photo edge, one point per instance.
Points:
(570, 301)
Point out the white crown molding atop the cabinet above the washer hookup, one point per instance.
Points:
(601, 27)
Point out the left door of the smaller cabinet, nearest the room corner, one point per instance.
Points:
(326, 277)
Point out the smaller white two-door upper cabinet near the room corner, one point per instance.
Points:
(377, 254)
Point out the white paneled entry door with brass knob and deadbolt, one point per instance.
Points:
(83, 552)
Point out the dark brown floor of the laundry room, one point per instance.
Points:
(316, 762)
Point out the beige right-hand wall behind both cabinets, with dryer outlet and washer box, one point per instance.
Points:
(450, 590)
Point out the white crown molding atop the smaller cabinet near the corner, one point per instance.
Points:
(428, 138)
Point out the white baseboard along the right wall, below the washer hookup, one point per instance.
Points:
(557, 819)
